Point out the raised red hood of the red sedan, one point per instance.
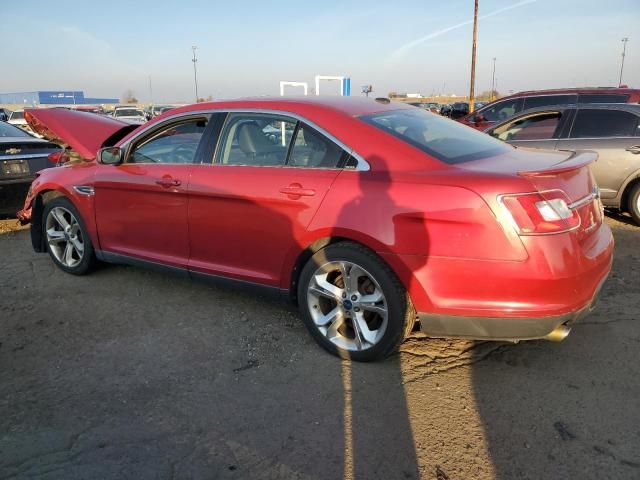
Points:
(83, 132)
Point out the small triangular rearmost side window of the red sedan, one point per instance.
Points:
(311, 149)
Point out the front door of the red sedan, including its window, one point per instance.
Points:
(141, 204)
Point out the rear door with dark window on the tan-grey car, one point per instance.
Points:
(613, 134)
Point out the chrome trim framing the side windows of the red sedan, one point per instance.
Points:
(362, 166)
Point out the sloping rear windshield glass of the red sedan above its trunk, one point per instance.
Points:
(446, 140)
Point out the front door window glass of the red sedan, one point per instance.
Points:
(177, 143)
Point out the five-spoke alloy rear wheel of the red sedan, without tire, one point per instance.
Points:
(347, 305)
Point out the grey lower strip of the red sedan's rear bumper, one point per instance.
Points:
(504, 328)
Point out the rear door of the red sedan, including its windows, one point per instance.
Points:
(251, 202)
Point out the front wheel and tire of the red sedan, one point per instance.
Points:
(66, 237)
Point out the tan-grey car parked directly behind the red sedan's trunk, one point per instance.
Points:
(611, 130)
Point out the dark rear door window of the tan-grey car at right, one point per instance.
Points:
(592, 123)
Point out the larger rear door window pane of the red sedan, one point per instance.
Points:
(255, 139)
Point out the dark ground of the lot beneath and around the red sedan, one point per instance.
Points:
(132, 374)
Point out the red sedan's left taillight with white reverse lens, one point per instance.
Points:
(541, 212)
